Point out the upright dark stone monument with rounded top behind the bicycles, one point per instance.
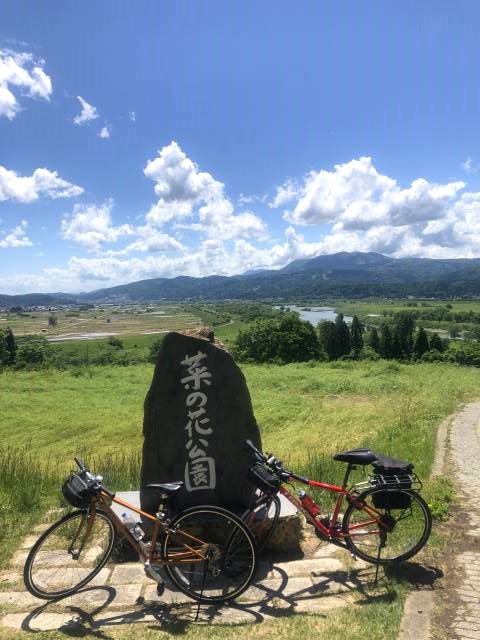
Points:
(198, 413)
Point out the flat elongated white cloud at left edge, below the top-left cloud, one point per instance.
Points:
(30, 188)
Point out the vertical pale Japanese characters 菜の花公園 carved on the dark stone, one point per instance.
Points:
(200, 467)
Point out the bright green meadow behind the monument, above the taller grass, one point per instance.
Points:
(299, 407)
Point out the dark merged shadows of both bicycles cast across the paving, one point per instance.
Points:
(277, 596)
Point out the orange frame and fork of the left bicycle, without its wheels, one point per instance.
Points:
(190, 555)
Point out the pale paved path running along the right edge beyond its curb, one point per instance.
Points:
(465, 448)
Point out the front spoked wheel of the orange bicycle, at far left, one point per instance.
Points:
(69, 554)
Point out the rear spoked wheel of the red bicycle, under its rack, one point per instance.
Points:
(403, 529)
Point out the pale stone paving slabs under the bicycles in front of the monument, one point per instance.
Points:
(124, 595)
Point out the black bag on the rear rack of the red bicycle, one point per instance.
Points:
(392, 475)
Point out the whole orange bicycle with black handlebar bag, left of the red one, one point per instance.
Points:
(207, 551)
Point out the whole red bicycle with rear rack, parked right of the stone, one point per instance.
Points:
(385, 520)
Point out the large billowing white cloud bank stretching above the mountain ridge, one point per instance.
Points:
(364, 211)
